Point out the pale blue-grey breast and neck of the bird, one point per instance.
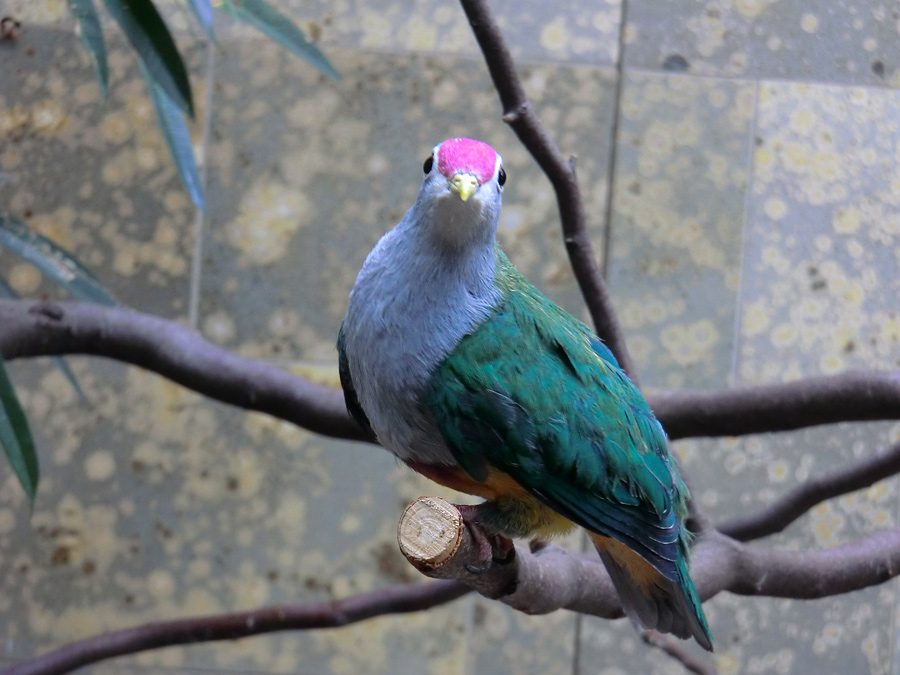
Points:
(408, 310)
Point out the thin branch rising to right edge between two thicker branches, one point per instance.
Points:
(791, 506)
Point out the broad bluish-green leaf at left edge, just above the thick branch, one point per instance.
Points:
(54, 261)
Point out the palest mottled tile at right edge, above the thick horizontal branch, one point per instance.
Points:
(823, 241)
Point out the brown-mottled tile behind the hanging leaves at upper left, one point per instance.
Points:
(96, 179)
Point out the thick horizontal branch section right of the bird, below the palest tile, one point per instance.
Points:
(849, 397)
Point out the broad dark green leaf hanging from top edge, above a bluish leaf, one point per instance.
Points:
(150, 38)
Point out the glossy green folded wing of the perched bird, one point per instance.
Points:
(533, 393)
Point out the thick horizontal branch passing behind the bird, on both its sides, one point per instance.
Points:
(29, 329)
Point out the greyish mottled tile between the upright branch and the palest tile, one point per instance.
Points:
(682, 166)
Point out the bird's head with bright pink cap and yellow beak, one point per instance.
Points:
(460, 198)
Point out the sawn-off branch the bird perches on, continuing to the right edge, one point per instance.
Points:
(555, 578)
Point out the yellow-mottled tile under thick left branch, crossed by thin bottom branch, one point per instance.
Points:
(156, 504)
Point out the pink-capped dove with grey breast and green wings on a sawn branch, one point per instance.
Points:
(470, 376)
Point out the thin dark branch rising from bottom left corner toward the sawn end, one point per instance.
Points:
(336, 614)
